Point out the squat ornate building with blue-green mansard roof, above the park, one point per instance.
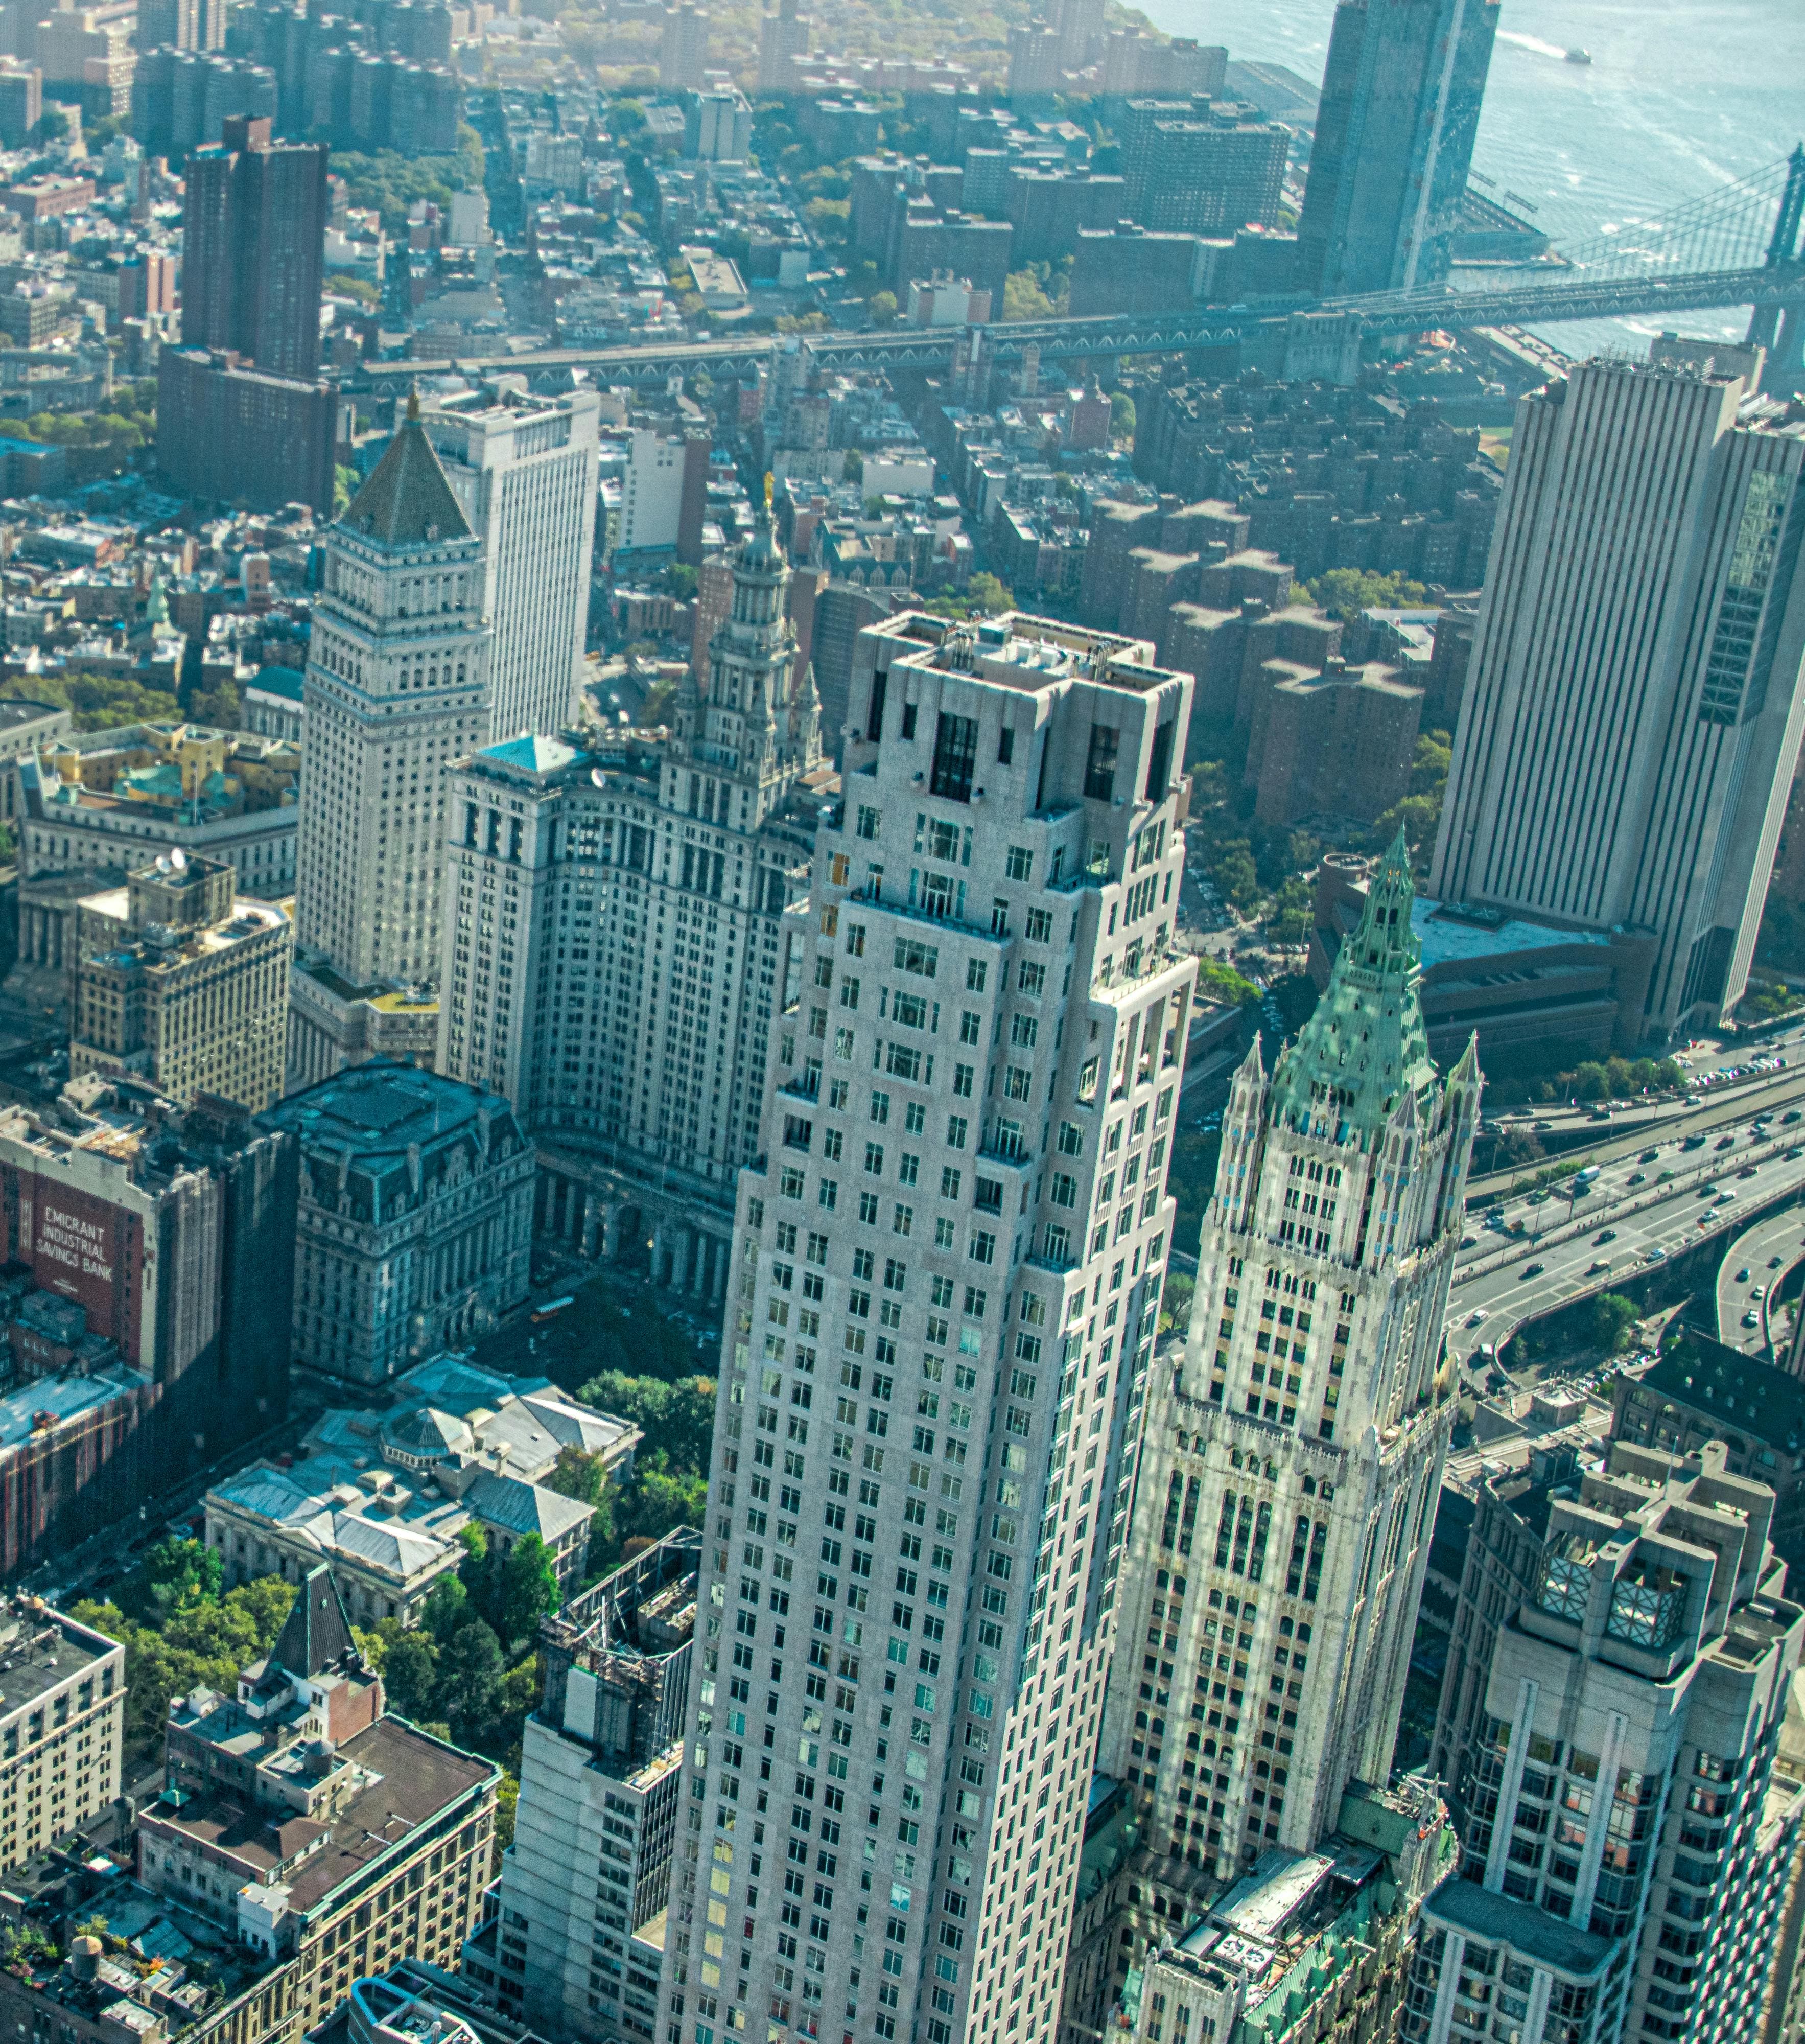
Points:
(416, 1217)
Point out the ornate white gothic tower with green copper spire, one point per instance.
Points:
(1291, 1469)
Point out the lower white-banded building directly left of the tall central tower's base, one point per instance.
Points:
(577, 1933)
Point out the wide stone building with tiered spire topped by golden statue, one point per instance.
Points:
(614, 933)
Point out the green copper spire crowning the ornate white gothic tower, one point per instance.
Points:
(1364, 1046)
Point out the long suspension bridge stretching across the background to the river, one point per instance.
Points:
(1739, 244)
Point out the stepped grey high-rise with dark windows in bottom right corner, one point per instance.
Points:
(1655, 1661)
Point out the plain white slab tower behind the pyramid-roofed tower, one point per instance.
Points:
(524, 475)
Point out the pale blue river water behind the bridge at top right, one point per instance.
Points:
(1681, 97)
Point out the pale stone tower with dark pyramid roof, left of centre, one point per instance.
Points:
(398, 690)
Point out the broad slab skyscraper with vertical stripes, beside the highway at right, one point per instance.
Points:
(1632, 710)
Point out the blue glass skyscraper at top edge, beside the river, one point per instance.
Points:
(1395, 132)
